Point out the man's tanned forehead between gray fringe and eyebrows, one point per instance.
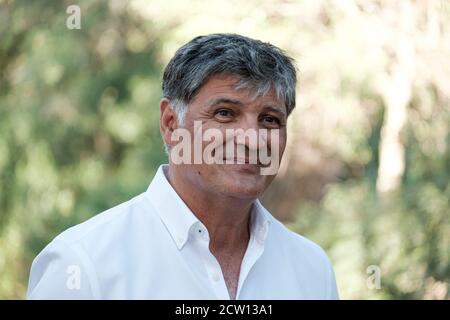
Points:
(224, 86)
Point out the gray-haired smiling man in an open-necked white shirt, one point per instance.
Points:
(199, 231)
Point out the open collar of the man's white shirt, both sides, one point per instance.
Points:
(179, 219)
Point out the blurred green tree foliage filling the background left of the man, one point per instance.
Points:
(78, 121)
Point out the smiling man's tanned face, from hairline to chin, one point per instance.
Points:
(218, 105)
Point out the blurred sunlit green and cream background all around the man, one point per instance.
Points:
(367, 170)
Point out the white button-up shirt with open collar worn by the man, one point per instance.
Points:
(154, 247)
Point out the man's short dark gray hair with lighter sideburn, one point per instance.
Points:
(259, 66)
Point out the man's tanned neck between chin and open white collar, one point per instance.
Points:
(227, 218)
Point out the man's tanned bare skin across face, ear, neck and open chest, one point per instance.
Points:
(221, 195)
